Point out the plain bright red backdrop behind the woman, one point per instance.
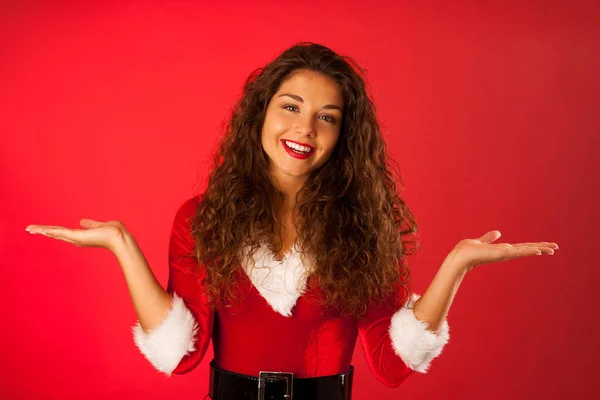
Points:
(110, 112)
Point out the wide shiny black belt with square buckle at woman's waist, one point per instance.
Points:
(225, 385)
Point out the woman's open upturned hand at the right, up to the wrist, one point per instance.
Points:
(469, 253)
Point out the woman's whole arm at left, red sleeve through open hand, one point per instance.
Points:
(175, 325)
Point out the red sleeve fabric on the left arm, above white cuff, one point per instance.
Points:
(185, 279)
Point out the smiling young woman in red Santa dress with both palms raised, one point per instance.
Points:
(296, 248)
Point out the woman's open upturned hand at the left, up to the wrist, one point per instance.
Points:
(95, 233)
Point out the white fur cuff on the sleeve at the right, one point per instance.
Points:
(413, 341)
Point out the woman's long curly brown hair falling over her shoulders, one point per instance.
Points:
(350, 221)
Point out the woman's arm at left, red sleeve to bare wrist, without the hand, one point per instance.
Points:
(174, 326)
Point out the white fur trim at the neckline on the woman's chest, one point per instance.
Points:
(280, 283)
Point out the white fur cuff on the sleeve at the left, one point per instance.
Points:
(166, 344)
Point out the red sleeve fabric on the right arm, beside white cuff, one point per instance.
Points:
(374, 334)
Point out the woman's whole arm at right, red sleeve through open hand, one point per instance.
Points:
(400, 339)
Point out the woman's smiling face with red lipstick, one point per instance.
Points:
(305, 113)
